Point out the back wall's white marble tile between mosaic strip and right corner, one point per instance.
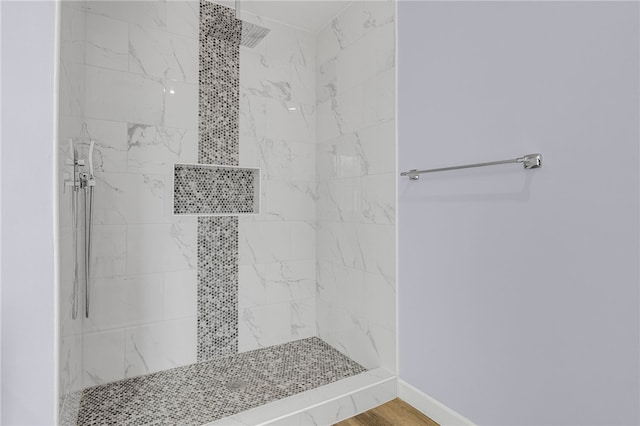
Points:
(277, 248)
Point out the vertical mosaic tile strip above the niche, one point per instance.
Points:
(219, 85)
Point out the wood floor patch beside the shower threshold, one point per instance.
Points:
(393, 413)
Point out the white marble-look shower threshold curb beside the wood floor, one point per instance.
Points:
(324, 405)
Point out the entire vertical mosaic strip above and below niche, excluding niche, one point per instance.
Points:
(218, 140)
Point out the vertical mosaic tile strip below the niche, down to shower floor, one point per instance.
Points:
(217, 287)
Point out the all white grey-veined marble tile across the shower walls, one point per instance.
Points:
(135, 85)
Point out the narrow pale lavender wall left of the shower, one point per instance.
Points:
(28, 289)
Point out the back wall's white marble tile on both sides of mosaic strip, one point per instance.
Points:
(141, 108)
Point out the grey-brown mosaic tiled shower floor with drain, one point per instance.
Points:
(200, 393)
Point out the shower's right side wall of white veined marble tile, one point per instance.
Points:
(356, 168)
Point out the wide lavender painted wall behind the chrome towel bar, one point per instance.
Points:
(519, 290)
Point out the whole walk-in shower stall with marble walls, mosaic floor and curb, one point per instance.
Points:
(227, 211)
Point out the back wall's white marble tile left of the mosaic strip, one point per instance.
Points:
(141, 108)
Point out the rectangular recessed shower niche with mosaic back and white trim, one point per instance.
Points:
(200, 189)
